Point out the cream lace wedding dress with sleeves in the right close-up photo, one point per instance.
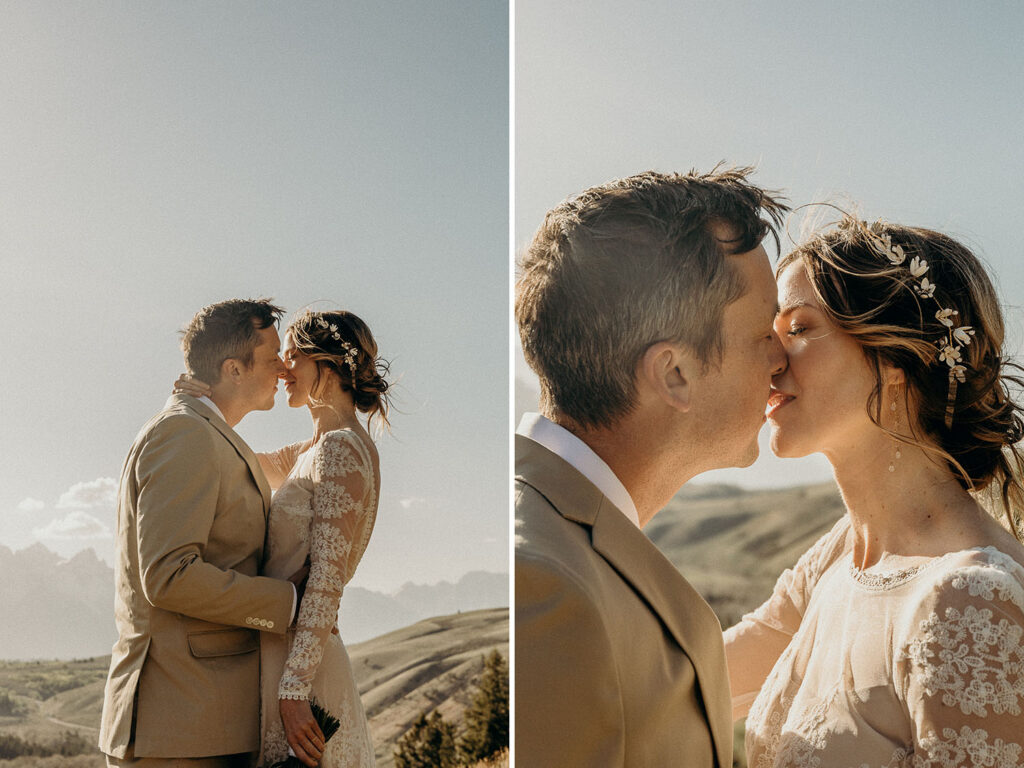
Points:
(922, 668)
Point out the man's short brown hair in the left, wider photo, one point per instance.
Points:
(226, 331)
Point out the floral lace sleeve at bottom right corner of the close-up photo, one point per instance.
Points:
(963, 668)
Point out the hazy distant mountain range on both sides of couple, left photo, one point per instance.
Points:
(58, 609)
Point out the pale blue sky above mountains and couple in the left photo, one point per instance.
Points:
(161, 156)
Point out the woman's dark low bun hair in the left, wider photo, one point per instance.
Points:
(342, 343)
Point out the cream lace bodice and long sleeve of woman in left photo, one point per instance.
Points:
(326, 509)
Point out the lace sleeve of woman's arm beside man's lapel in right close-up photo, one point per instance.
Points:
(755, 645)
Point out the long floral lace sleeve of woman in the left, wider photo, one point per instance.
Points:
(344, 509)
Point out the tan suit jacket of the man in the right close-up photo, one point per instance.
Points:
(619, 662)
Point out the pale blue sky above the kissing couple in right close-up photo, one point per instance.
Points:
(914, 110)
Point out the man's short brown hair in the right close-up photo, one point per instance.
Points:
(624, 266)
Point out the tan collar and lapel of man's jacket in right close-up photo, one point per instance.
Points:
(680, 608)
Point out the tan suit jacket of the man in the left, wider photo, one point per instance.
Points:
(192, 524)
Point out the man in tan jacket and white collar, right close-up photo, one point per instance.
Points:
(646, 308)
